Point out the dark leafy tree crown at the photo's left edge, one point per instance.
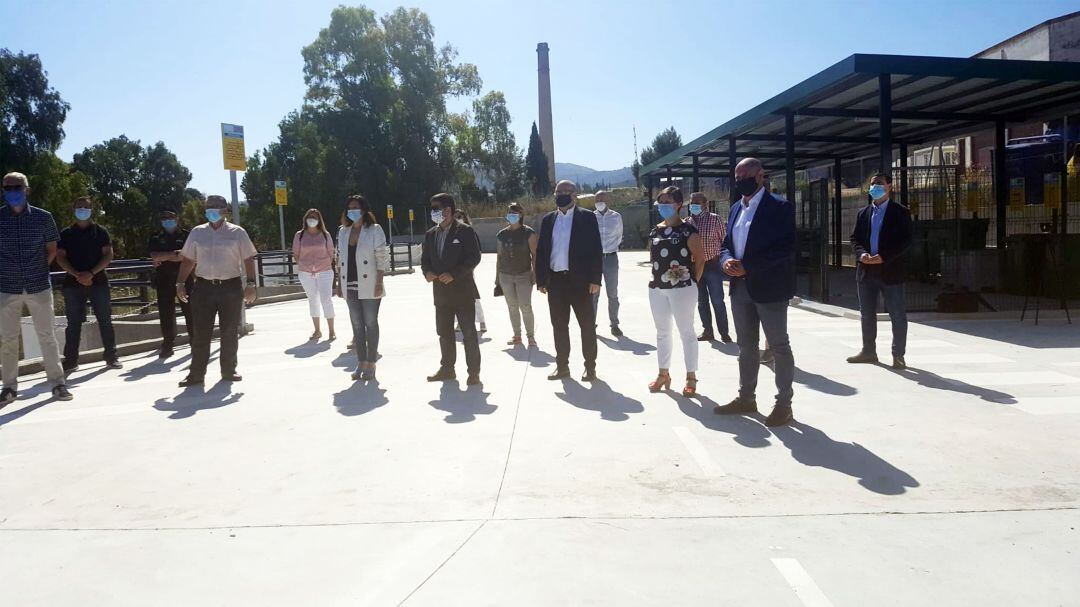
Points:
(32, 114)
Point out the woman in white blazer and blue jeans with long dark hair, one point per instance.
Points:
(363, 260)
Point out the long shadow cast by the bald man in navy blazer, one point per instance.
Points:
(811, 447)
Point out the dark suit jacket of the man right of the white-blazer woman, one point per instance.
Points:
(461, 257)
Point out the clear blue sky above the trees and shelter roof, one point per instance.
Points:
(172, 72)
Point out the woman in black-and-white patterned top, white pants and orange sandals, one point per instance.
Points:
(679, 260)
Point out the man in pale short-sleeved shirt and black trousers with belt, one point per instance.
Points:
(221, 254)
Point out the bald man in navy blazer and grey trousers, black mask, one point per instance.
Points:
(759, 253)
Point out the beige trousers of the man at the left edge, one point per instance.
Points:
(45, 325)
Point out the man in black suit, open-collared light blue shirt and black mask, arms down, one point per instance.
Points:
(570, 266)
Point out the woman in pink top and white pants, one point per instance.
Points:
(314, 252)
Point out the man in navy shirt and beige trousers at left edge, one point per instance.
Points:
(28, 248)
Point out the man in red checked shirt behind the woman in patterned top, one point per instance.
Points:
(711, 288)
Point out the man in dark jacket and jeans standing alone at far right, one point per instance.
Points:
(881, 239)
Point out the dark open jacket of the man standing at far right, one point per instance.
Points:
(894, 244)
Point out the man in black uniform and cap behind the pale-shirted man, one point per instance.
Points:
(166, 252)
